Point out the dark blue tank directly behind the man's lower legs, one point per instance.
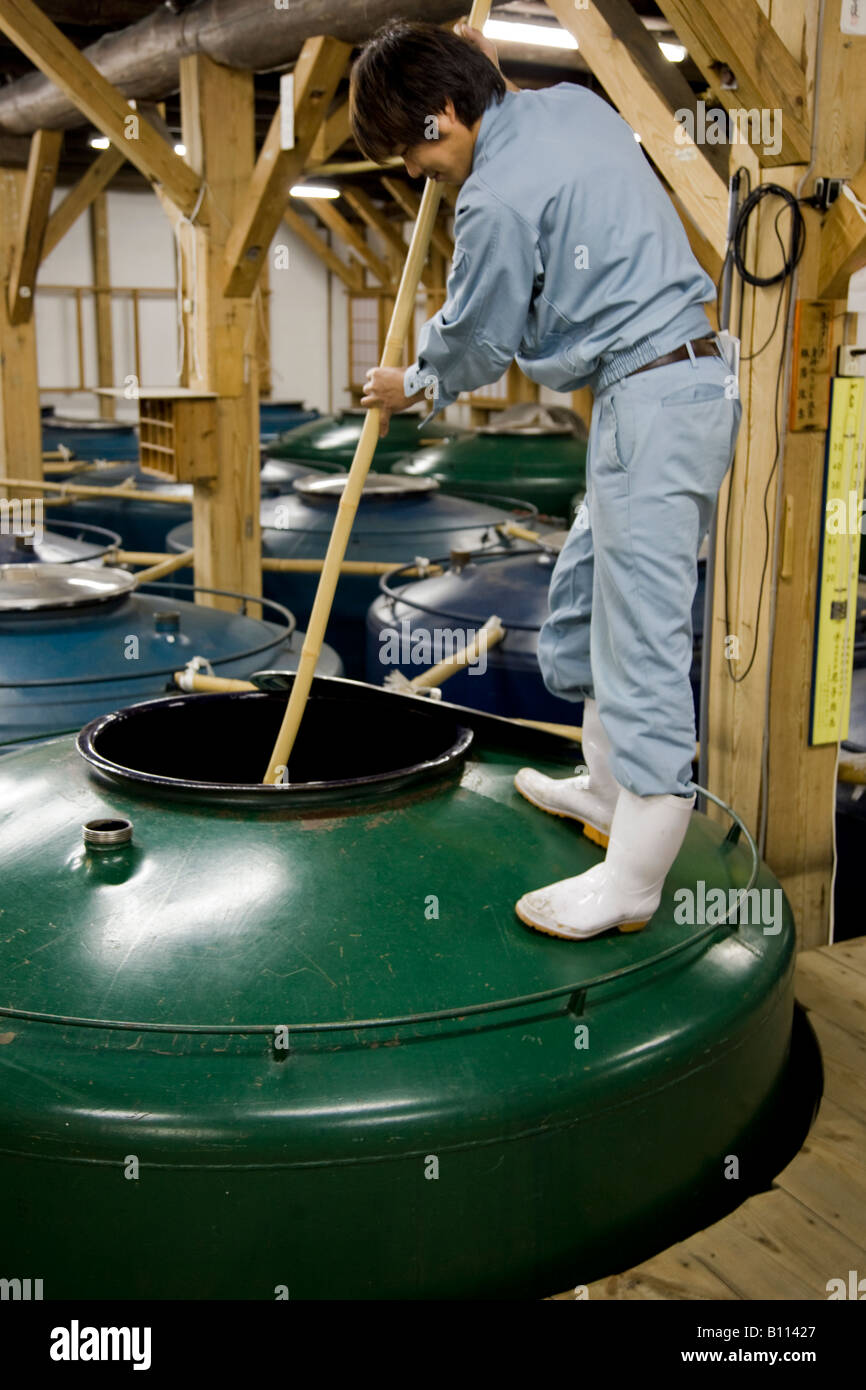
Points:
(414, 625)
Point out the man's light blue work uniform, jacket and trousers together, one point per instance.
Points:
(571, 258)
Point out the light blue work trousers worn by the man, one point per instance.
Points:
(622, 593)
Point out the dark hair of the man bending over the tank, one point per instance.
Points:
(407, 74)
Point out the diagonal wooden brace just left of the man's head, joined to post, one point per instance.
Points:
(318, 73)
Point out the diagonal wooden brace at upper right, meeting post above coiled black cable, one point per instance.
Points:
(737, 34)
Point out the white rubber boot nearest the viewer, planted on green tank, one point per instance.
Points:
(626, 889)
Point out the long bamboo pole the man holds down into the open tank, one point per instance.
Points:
(398, 330)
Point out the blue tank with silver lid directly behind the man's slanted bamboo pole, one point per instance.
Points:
(398, 521)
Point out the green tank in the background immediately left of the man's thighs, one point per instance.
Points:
(537, 454)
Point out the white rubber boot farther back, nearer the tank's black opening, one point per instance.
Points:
(591, 796)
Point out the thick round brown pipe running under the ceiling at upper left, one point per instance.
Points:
(256, 35)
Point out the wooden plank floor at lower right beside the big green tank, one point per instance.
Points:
(811, 1227)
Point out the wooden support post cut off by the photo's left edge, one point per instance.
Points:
(20, 420)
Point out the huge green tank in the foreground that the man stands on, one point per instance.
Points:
(295, 1039)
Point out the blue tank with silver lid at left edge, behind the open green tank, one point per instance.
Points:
(80, 641)
